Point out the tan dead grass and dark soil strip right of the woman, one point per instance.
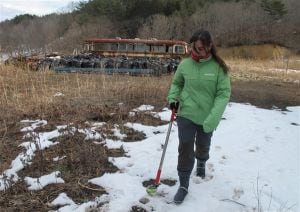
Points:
(265, 83)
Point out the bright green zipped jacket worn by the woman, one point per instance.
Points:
(203, 91)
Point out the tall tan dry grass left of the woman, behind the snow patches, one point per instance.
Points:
(93, 97)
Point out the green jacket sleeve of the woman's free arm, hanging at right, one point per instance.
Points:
(221, 100)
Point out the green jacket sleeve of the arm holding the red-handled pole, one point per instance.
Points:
(176, 86)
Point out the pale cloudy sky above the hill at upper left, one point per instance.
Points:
(11, 8)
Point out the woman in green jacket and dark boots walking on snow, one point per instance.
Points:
(200, 92)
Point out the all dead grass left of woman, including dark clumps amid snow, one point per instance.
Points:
(25, 94)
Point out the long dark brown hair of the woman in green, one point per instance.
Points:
(206, 40)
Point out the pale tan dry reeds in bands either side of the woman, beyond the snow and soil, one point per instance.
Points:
(24, 93)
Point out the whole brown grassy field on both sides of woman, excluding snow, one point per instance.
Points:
(77, 99)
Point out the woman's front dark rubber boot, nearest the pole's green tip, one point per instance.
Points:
(184, 178)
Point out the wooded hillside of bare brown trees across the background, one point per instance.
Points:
(231, 22)
